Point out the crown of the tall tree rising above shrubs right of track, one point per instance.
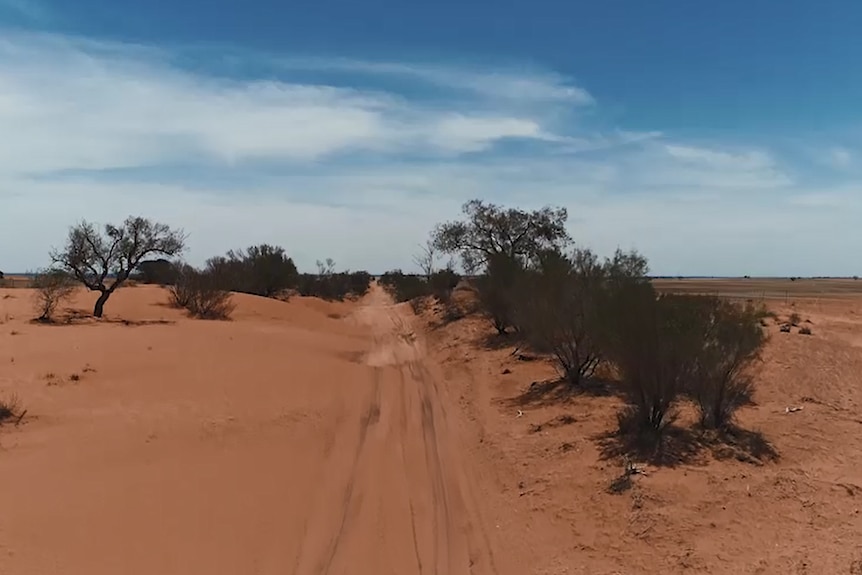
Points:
(488, 229)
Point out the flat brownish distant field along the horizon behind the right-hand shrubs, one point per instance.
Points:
(764, 288)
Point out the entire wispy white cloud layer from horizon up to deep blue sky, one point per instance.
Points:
(360, 169)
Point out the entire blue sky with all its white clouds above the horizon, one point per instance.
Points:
(718, 138)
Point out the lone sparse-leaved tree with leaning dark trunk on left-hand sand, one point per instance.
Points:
(93, 257)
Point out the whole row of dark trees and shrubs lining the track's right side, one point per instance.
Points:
(581, 312)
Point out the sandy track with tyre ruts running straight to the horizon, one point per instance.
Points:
(404, 502)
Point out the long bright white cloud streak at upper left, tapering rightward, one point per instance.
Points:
(81, 105)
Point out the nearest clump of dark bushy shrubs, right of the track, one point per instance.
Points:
(670, 345)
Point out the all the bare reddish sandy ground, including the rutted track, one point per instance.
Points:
(310, 438)
